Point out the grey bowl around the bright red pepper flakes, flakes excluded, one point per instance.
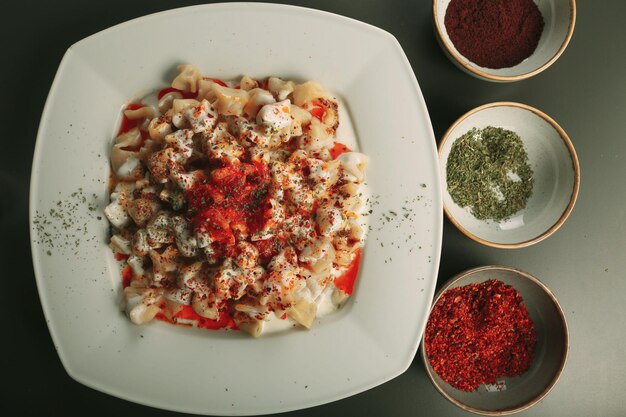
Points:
(510, 394)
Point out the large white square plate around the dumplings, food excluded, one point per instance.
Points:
(369, 341)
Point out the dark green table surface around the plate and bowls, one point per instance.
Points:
(584, 262)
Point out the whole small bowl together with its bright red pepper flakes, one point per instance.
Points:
(496, 340)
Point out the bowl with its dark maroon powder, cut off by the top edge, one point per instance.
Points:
(480, 36)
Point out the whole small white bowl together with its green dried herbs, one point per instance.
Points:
(509, 173)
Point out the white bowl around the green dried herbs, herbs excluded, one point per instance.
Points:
(556, 174)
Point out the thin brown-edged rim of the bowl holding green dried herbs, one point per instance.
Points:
(575, 164)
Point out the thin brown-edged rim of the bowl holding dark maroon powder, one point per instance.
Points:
(505, 78)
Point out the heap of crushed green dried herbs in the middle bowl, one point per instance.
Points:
(488, 172)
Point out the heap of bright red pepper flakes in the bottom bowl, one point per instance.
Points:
(479, 333)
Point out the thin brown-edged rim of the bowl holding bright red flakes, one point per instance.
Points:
(539, 396)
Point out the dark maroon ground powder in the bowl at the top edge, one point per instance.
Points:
(494, 33)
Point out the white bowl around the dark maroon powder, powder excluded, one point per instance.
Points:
(559, 20)
